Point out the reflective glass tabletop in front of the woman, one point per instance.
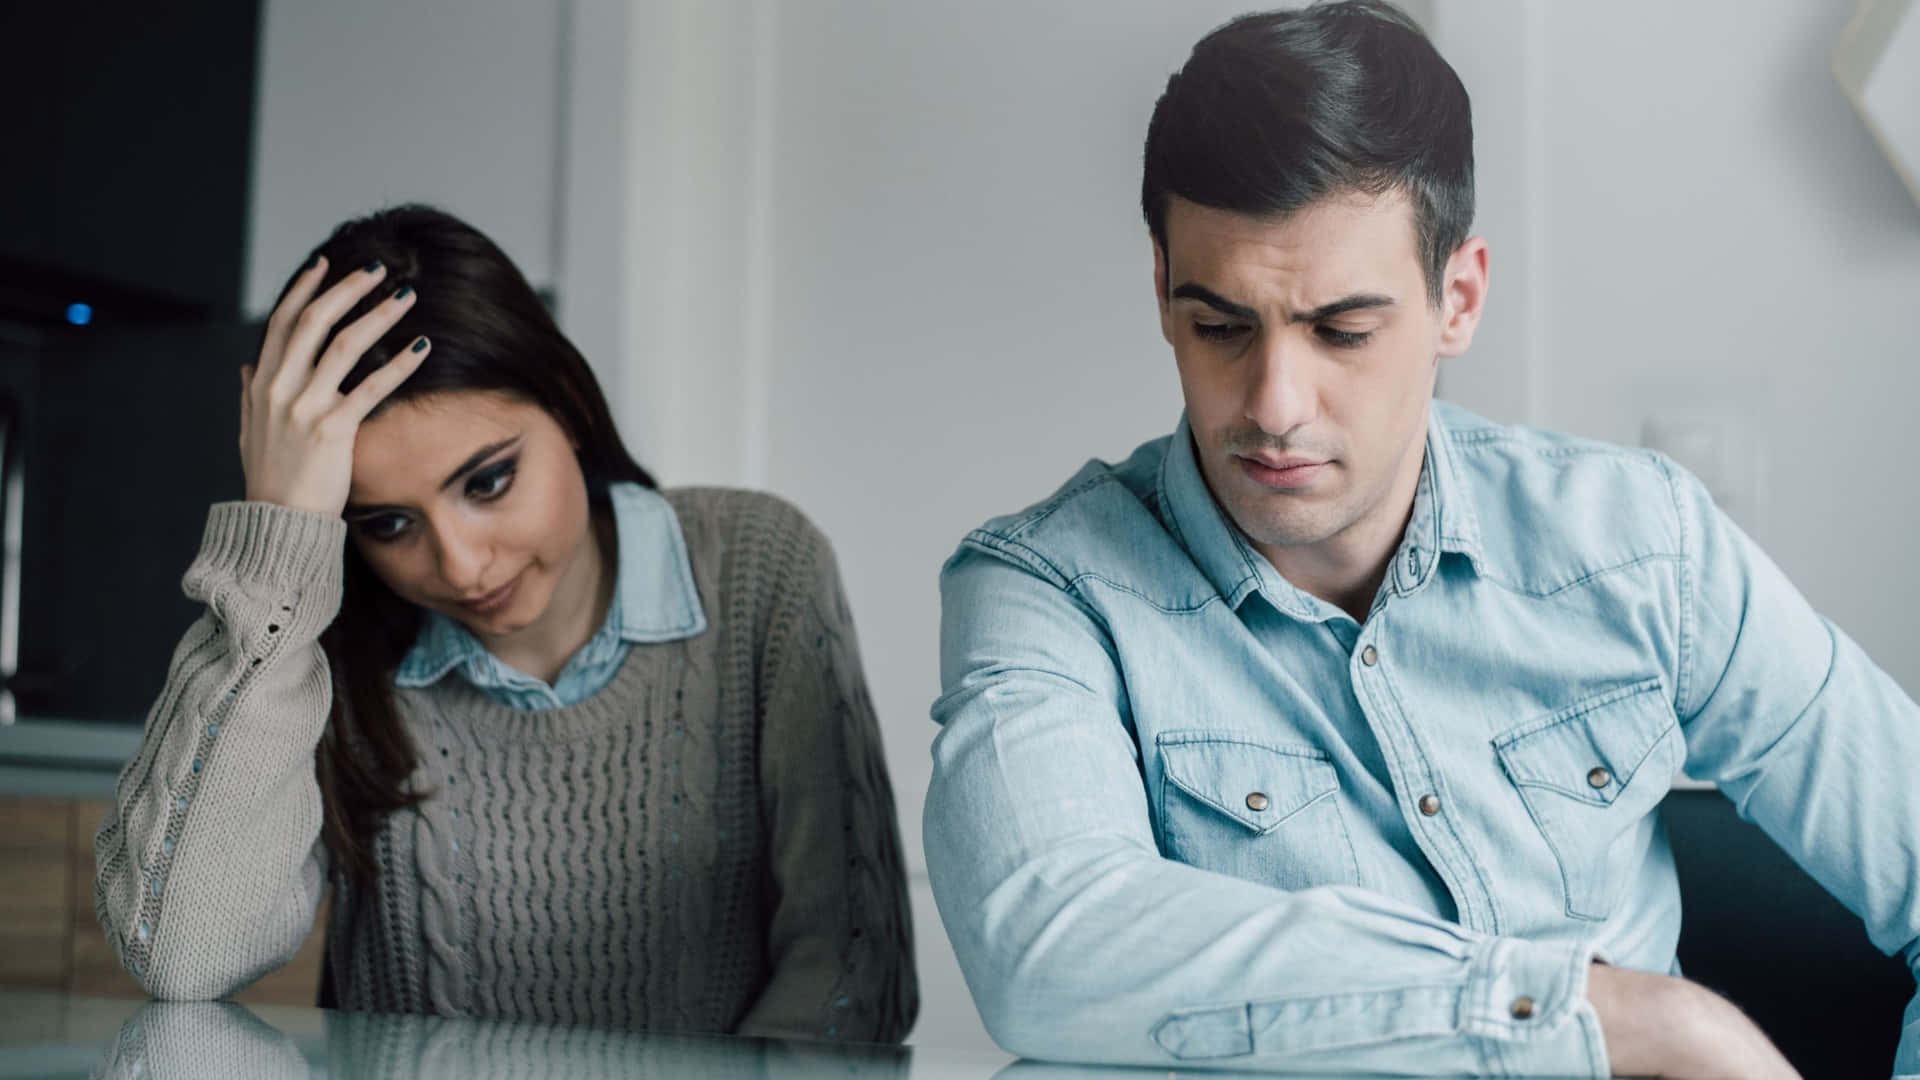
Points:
(62, 1037)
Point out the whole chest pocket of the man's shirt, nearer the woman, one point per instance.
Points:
(1259, 812)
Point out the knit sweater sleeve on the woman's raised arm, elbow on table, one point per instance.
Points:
(210, 864)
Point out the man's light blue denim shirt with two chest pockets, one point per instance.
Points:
(1184, 812)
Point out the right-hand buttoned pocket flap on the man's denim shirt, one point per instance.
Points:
(1600, 739)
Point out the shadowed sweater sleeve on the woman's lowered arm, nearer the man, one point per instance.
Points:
(840, 939)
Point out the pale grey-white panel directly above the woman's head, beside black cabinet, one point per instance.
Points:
(370, 103)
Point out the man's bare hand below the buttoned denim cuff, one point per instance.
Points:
(1668, 1027)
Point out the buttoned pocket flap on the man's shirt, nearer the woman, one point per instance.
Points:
(1236, 777)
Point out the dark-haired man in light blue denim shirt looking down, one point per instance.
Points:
(1332, 731)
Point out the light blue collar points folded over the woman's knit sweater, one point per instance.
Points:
(656, 599)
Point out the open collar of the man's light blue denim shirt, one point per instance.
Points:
(1443, 522)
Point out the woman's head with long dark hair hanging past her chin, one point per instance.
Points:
(471, 495)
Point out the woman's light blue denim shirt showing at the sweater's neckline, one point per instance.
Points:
(654, 601)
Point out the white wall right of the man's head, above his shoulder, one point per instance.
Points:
(1712, 233)
